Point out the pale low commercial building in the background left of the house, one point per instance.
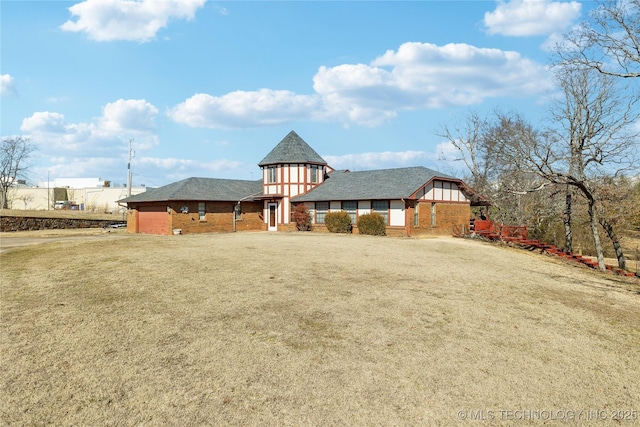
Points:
(88, 194)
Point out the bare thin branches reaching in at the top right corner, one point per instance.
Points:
(609, 41)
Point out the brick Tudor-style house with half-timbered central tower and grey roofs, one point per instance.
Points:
(413, 201)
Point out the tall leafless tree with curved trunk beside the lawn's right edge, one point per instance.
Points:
(592, 139)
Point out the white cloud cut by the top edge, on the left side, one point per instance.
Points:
(108, 20)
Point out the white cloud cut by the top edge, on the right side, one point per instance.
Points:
(523, 18)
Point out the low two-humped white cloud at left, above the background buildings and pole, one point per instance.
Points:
(120, 120)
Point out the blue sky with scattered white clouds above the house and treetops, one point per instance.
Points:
(208, 88)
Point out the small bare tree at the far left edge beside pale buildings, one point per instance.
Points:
(13, 164)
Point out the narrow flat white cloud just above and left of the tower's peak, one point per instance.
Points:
(239, 109)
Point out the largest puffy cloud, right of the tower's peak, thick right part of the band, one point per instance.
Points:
(426, 76)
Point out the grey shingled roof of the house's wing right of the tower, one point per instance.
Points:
(383, 184)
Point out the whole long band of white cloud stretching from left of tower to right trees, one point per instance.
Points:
(416, 76)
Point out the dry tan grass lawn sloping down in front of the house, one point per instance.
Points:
(309, 329)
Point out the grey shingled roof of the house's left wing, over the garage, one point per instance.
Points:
(201, 189)
